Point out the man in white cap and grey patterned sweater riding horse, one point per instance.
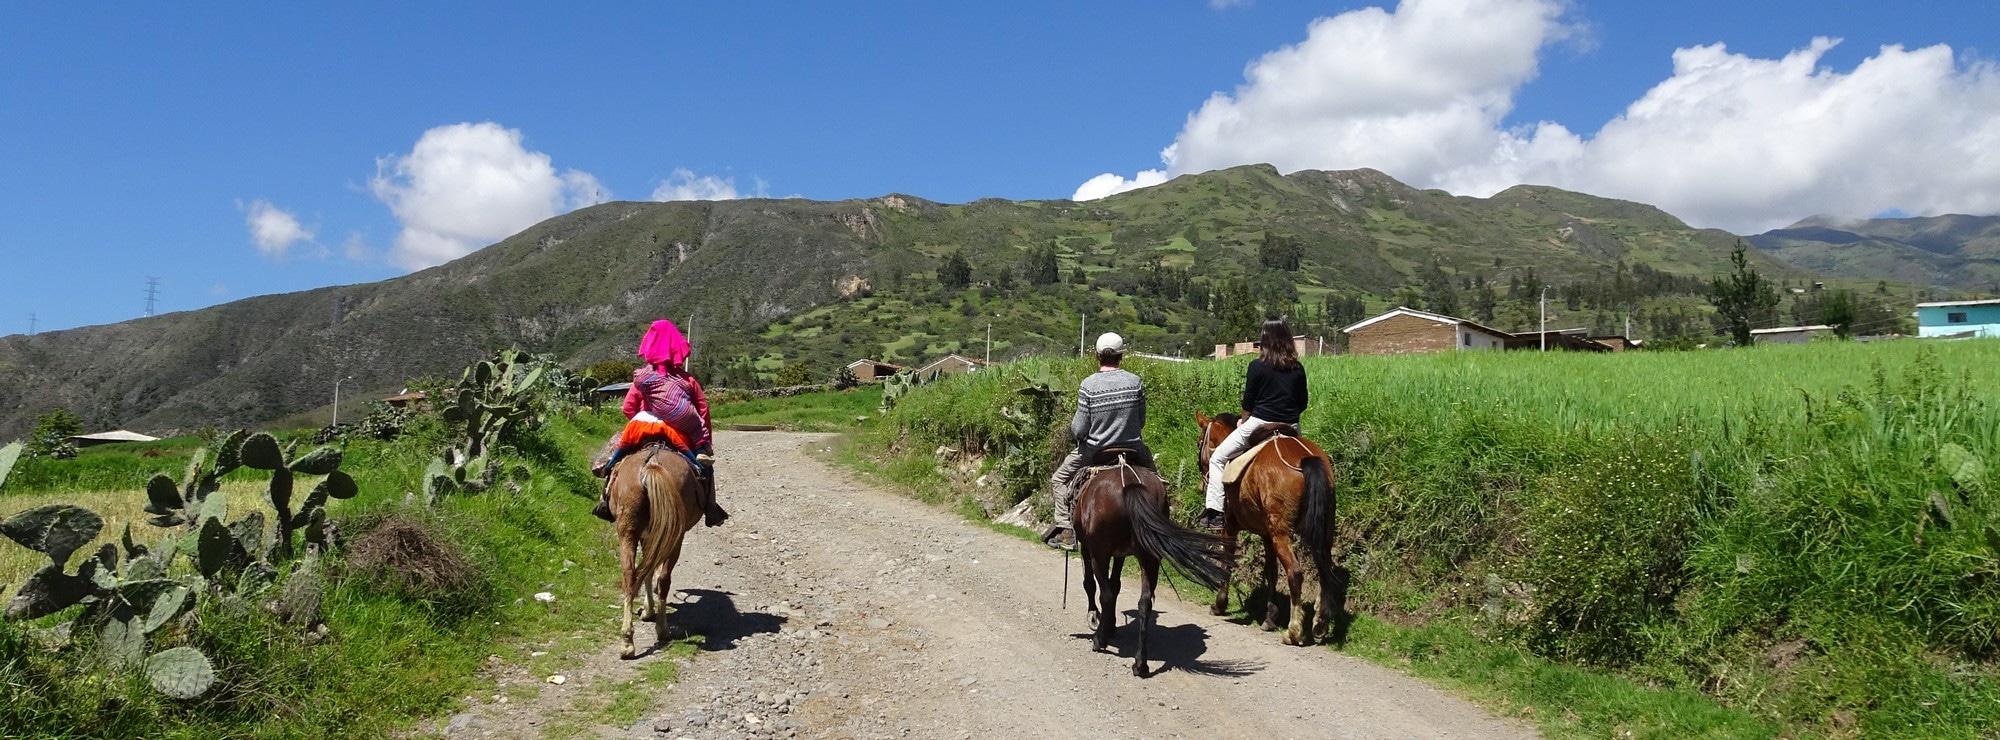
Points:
(1111, 413)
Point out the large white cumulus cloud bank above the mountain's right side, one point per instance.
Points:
(1727, 141)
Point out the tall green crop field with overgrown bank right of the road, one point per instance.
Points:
(1809, 533)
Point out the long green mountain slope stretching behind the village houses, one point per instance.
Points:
(773, 283)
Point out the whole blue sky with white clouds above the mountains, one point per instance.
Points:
(163, 141)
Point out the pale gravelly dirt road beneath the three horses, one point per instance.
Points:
(839, 611)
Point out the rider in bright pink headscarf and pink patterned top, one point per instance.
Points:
(665, 403)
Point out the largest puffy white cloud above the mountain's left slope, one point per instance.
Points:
(471, 185)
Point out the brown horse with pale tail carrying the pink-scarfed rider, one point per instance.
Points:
(655, 503)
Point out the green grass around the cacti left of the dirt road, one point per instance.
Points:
(395, 651)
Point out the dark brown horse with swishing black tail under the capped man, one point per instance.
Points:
(1121, 511)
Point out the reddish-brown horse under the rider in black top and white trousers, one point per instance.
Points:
(1287, 493)
